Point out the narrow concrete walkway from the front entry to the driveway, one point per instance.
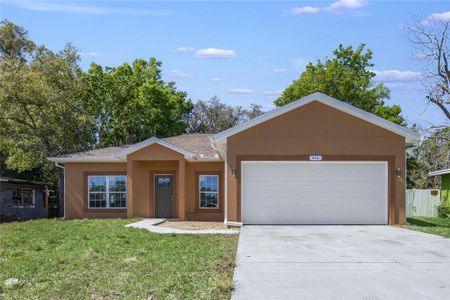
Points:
(151, 225)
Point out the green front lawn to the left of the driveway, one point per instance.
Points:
(101, 259)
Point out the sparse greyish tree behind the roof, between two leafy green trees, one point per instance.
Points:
(215, 116)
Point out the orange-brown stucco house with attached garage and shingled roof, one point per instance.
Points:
(314, 161)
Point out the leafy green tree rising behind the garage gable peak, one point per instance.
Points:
(346, 76)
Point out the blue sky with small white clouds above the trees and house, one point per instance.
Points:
(243, 51)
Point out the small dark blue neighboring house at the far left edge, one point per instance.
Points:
(23, 199)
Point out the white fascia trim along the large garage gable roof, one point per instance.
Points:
(410, 136)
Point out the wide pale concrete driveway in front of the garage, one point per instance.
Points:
(341, 262)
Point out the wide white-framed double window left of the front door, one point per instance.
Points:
(107, 191)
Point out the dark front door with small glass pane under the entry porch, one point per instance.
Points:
(163, 196)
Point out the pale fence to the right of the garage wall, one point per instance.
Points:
(422, 203)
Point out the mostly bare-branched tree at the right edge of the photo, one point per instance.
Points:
(431, 43)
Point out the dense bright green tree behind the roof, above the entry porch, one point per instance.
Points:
(130, 103)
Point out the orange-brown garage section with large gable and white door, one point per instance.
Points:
(316, 160)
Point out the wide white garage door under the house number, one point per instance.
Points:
(314, 192)
